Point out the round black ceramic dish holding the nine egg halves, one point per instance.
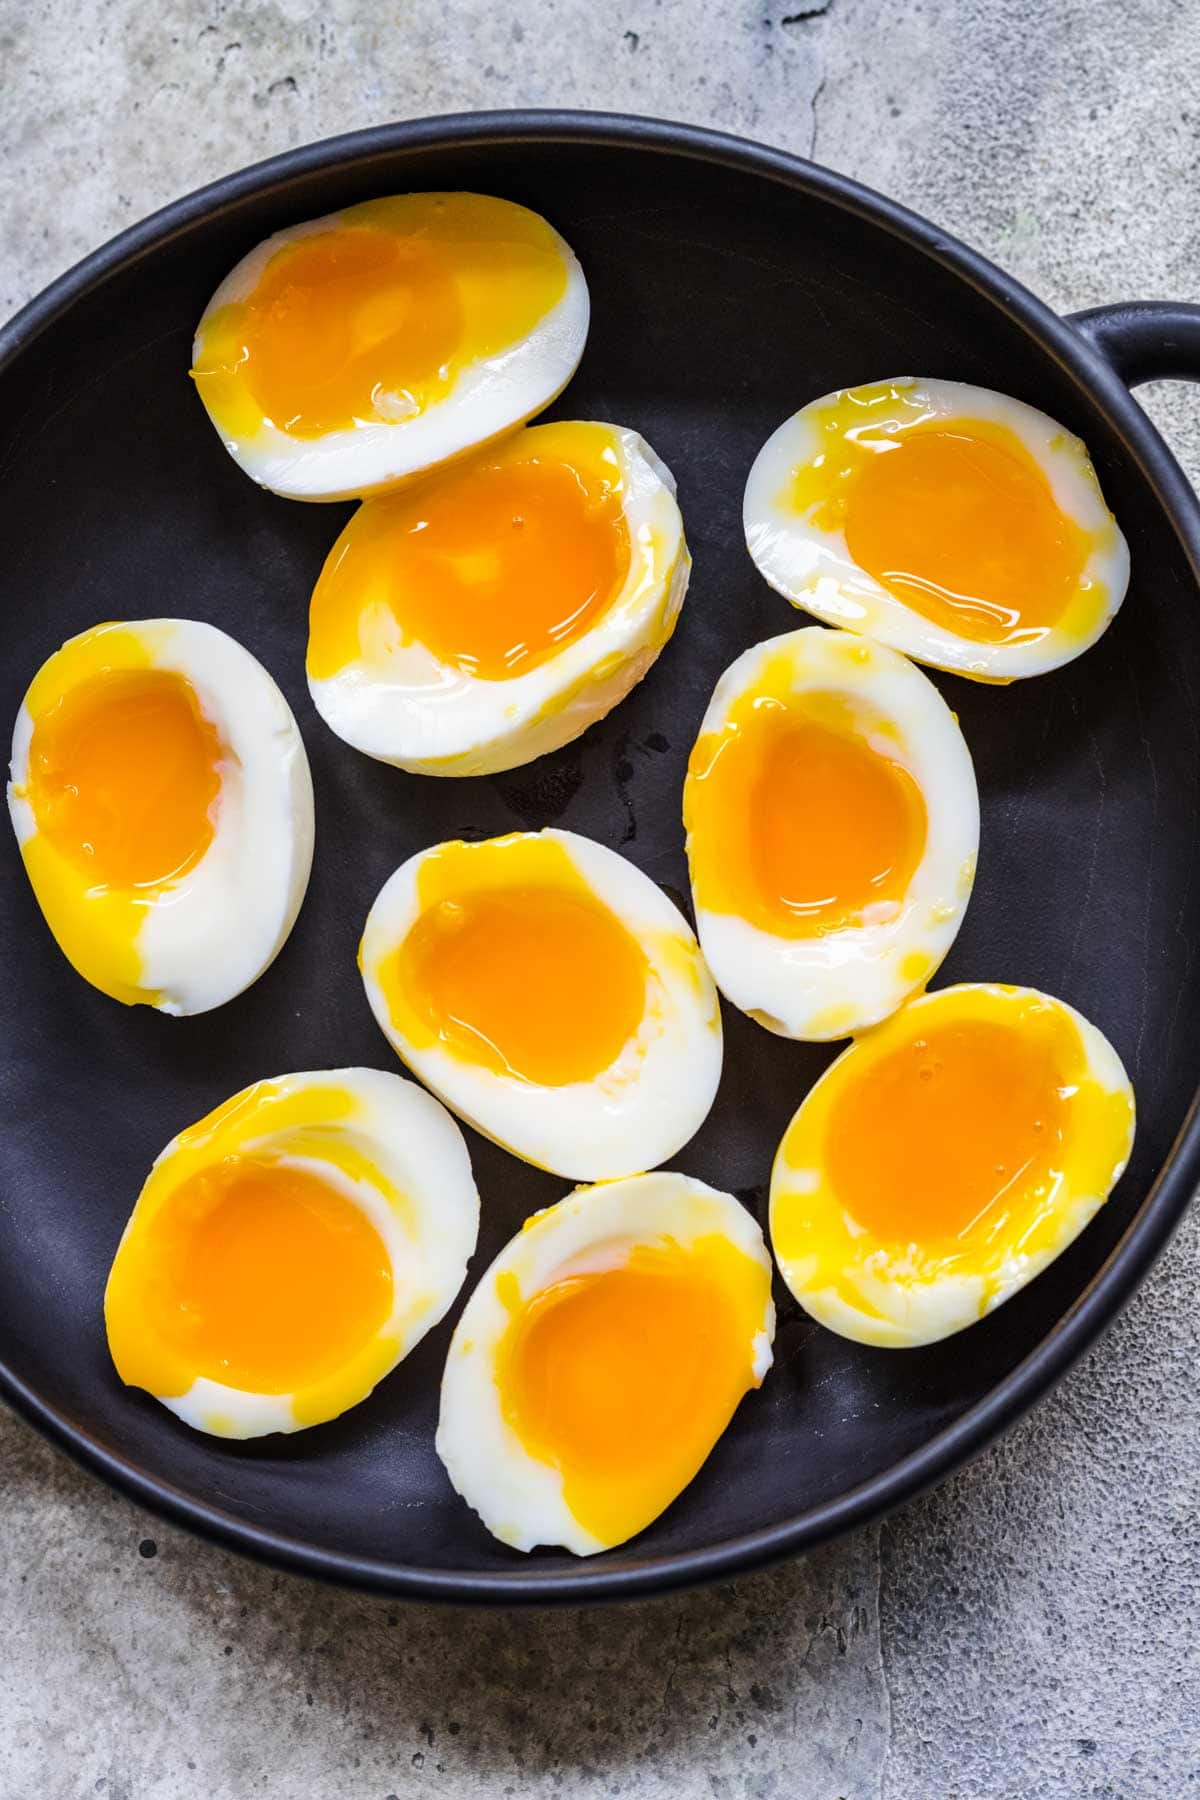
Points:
(730, 285)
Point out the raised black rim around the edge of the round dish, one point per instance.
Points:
(1160, 1210)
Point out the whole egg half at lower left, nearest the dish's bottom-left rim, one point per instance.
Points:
(291, 1248)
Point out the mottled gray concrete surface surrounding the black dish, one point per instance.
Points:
(1034, 1628)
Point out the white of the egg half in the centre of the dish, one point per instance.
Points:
(636, 1113)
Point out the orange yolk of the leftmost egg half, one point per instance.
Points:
(123, 777)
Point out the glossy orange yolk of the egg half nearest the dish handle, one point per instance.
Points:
(967, 532)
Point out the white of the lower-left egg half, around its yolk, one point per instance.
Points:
(429, 1230)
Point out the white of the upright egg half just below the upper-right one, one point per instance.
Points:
(837, 982)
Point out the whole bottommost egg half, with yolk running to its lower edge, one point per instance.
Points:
(602, 1358)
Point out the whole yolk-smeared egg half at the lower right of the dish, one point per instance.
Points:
(945, 1160)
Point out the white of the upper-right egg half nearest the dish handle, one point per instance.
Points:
(812, 566)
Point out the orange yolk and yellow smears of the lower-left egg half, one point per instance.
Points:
(253, 1272)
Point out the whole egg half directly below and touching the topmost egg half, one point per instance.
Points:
(501, 607)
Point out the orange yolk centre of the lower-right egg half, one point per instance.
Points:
(949, 1133)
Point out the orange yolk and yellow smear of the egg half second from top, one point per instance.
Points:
(494, 566)
